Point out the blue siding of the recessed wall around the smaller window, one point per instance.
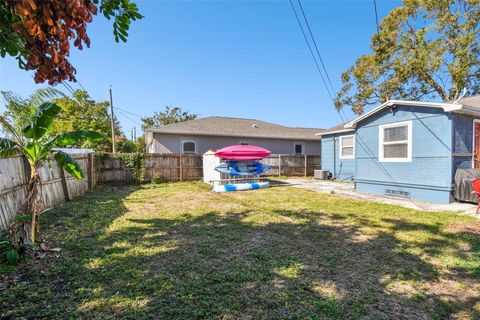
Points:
(343, 169)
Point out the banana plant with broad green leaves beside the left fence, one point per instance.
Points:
(37, 147)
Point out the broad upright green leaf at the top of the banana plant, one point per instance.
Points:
(41, 121)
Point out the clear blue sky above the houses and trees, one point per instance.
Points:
(231, 58)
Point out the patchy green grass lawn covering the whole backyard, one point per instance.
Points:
(179, 251)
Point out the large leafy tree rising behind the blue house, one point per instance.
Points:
(425, 49)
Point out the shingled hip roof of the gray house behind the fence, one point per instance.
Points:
(224, 126)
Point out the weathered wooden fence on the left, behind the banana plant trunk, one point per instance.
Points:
(56, 185)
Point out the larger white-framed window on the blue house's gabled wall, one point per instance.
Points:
(395, 142)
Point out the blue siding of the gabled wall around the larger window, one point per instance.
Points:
(428, 176)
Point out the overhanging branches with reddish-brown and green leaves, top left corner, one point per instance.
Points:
(38, 33)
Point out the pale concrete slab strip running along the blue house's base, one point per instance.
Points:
(346, 189)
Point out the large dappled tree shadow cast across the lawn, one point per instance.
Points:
(230, 266)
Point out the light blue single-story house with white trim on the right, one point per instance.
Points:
(407, 149)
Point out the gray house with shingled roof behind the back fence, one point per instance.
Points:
(210, 133)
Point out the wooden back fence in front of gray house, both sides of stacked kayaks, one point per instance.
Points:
(138, 168)
